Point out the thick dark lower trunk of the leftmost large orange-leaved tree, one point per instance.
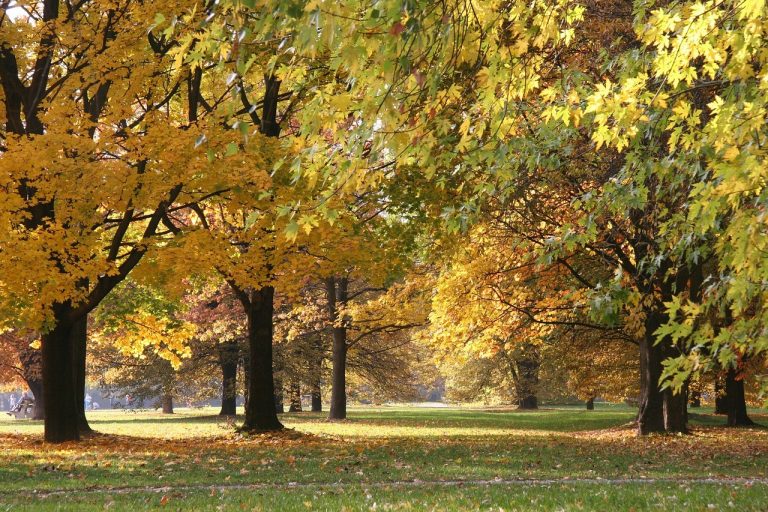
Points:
(59, 392)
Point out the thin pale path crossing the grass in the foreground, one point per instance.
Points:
(394, 483)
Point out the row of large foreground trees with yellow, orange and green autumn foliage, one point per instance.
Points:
(588, 173)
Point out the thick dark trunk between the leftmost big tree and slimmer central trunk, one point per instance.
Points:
(260, 414)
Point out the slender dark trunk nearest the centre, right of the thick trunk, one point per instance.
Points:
(336, 290)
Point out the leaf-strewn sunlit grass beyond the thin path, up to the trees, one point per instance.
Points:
(146, 449)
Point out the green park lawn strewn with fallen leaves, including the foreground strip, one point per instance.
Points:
(392, 458)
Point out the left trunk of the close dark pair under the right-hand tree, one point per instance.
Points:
(650, 416)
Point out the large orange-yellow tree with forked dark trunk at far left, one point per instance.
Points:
(86, 199)
